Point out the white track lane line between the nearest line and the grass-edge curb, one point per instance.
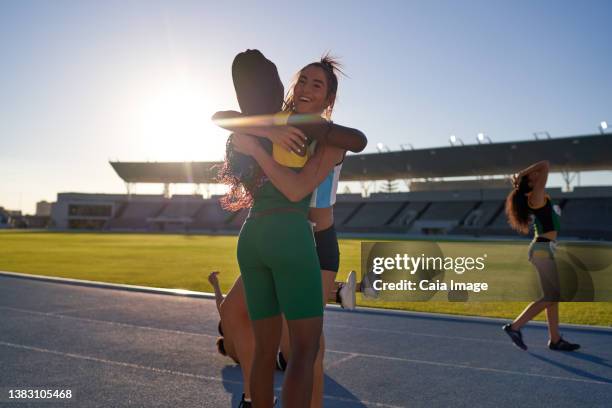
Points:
(356, 354)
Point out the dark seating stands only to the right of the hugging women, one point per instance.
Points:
(586, 213)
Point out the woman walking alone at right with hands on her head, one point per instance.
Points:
(528, 200)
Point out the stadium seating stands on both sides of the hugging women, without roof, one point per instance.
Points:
(586, 213)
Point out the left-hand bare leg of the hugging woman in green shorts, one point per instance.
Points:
(267, 337)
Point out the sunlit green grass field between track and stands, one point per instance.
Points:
(183, 261)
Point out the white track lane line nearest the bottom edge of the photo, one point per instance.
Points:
(166, 371)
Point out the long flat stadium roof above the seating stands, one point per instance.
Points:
(571, 154)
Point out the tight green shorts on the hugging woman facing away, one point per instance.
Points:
(279, 267)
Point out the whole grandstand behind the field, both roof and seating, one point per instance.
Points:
(455, 190)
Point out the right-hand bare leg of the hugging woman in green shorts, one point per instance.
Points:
(304, 337)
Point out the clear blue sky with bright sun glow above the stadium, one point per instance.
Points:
(84, 82)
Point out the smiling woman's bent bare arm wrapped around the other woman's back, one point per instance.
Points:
(295, 186)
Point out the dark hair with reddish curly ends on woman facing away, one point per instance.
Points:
(259, 91)
